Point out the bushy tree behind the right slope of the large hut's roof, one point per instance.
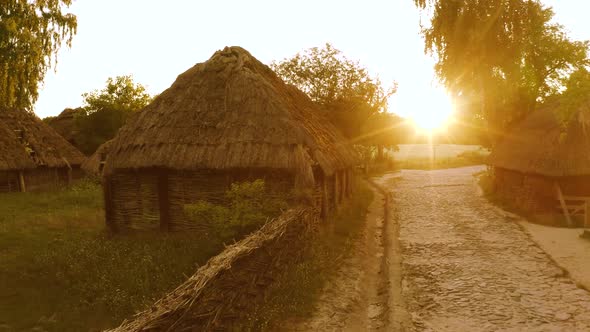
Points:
(342, 87)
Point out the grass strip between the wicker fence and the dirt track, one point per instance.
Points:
(294, 294)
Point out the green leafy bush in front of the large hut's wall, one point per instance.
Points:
(250, 206)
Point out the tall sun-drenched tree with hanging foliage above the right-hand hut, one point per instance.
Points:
(499, 58)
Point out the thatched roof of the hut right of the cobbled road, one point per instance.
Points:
(539, 145)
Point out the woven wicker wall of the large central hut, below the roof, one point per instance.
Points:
(135, 200)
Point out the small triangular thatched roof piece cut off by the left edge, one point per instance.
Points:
(13, 155)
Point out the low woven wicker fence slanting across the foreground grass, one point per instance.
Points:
(215, 297)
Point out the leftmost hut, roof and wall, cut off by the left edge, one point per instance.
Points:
(14, 161)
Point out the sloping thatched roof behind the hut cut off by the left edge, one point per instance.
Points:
(50, 148)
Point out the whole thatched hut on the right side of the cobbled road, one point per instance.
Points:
(544, 168)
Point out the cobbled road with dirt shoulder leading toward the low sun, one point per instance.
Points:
(450, 260)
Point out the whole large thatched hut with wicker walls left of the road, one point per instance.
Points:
(225, 120)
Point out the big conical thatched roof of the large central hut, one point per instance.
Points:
(231, 111)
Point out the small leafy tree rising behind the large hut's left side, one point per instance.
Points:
(107, 110)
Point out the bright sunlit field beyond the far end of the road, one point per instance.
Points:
(425, 156)
